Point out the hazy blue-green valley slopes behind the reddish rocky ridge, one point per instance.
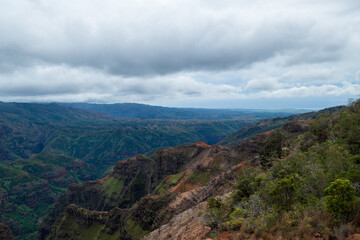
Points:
(45, 147)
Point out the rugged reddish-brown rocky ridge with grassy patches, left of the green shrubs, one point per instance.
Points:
(165, 193)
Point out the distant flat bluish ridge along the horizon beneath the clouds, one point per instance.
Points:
(142, 111)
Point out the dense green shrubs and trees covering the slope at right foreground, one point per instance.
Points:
(312, 188)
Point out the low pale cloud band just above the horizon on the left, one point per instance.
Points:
(63, 83)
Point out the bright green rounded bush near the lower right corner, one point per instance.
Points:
(339, 198)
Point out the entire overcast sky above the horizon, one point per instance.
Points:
(182, 53)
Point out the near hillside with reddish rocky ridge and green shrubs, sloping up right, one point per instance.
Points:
(297, 182)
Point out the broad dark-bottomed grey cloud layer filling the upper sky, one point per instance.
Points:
(157, 37)
